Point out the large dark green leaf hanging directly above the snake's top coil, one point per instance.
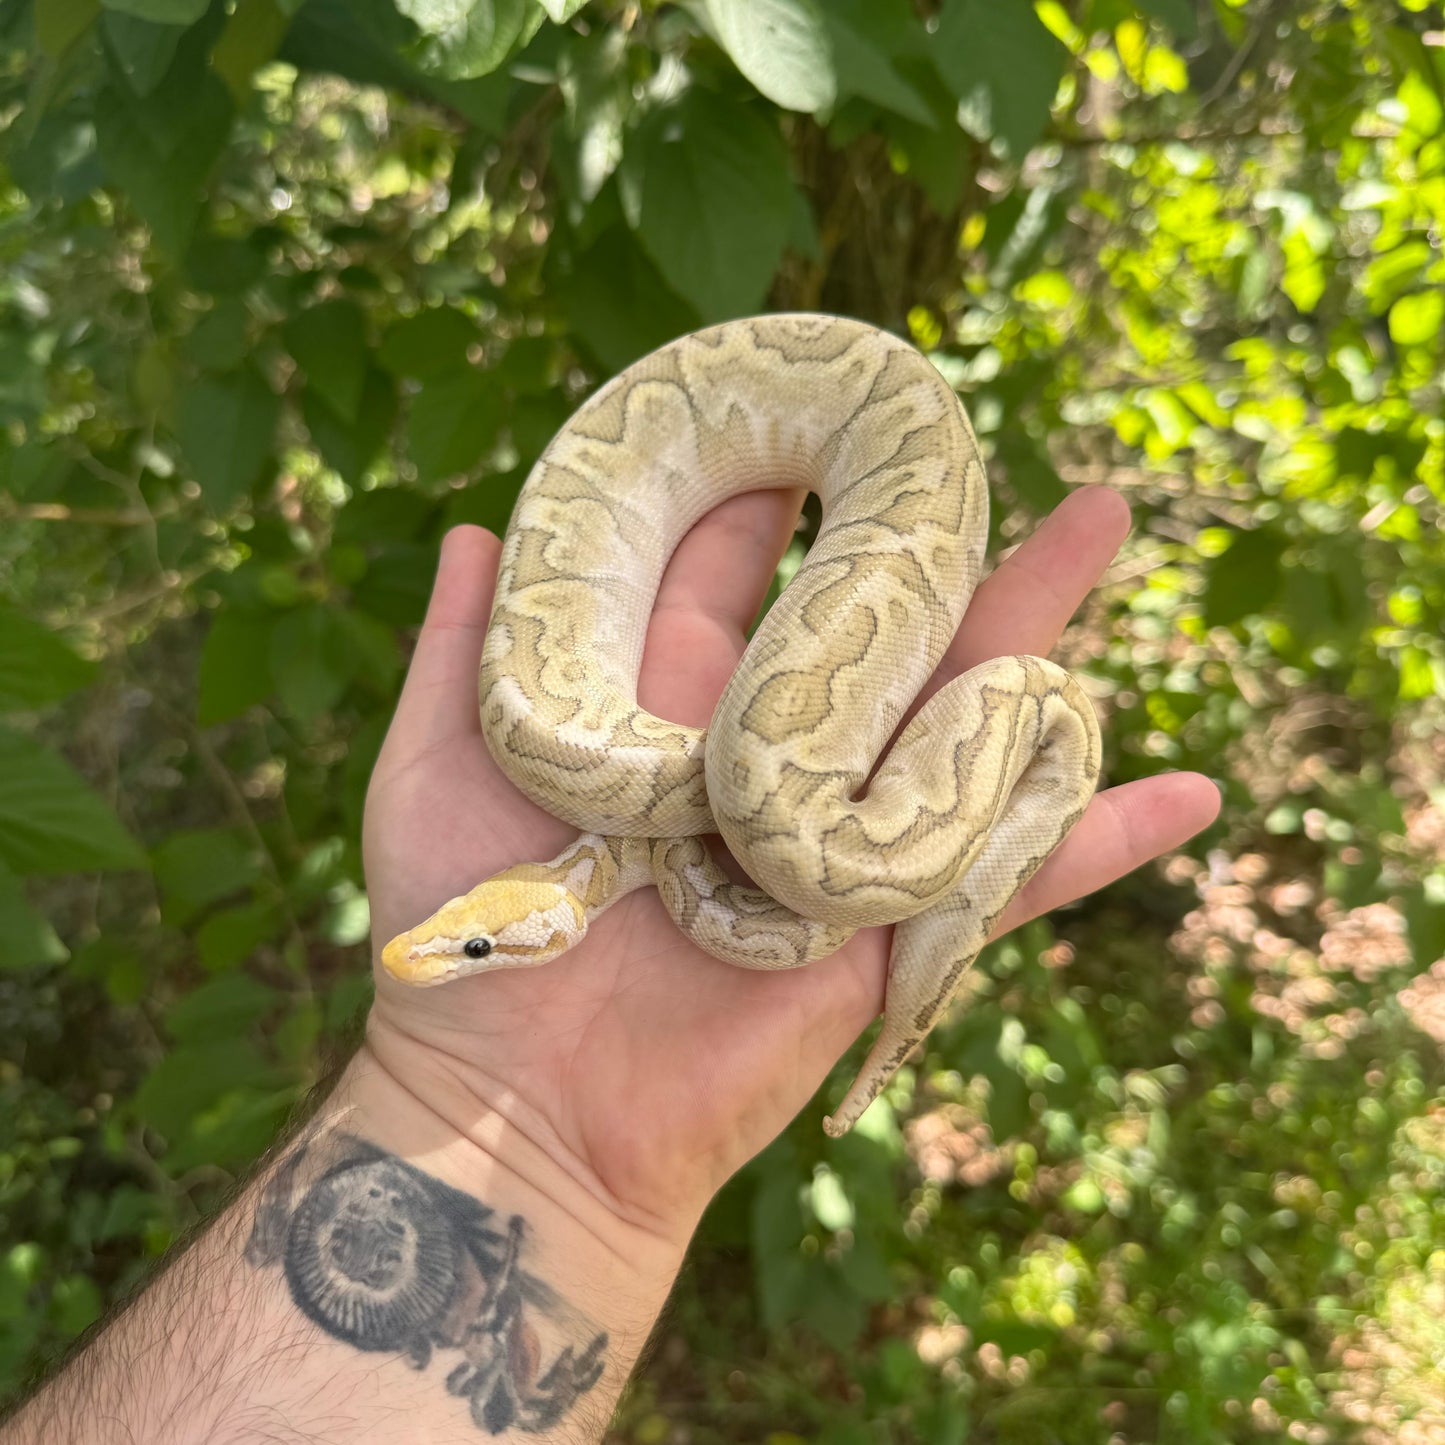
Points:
(716, 202)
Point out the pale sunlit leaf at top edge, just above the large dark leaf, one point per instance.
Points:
(781, 47)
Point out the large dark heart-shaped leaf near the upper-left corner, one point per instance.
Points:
(160, 150)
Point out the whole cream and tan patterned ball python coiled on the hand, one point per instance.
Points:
(973, 794)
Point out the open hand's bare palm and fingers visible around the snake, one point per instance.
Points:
(638, 1058)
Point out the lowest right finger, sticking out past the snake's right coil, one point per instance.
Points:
(1122, 829)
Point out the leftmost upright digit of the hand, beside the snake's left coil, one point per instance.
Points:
(440, 699)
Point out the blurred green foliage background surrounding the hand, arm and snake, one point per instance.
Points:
(290, 287)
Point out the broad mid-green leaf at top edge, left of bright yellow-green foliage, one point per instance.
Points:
(1004, 66)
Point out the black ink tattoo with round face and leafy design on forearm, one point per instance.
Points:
(387, 1258)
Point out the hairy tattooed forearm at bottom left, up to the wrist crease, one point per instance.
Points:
(388, 1278)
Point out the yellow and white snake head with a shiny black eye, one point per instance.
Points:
(501, 924)
